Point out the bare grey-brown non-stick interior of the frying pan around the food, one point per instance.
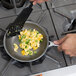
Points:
(8, 44)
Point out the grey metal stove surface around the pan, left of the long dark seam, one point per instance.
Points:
(53, 60)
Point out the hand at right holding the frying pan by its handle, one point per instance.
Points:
(67, 44)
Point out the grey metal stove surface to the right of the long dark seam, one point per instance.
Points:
(63, 12)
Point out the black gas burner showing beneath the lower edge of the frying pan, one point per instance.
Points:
(17, 63)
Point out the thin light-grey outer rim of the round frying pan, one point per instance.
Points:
(28, 60)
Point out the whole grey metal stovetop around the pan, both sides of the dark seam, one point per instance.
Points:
(55, 21)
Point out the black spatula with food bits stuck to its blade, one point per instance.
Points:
(15, 27)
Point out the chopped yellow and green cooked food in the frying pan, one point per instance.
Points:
(29, 42)
